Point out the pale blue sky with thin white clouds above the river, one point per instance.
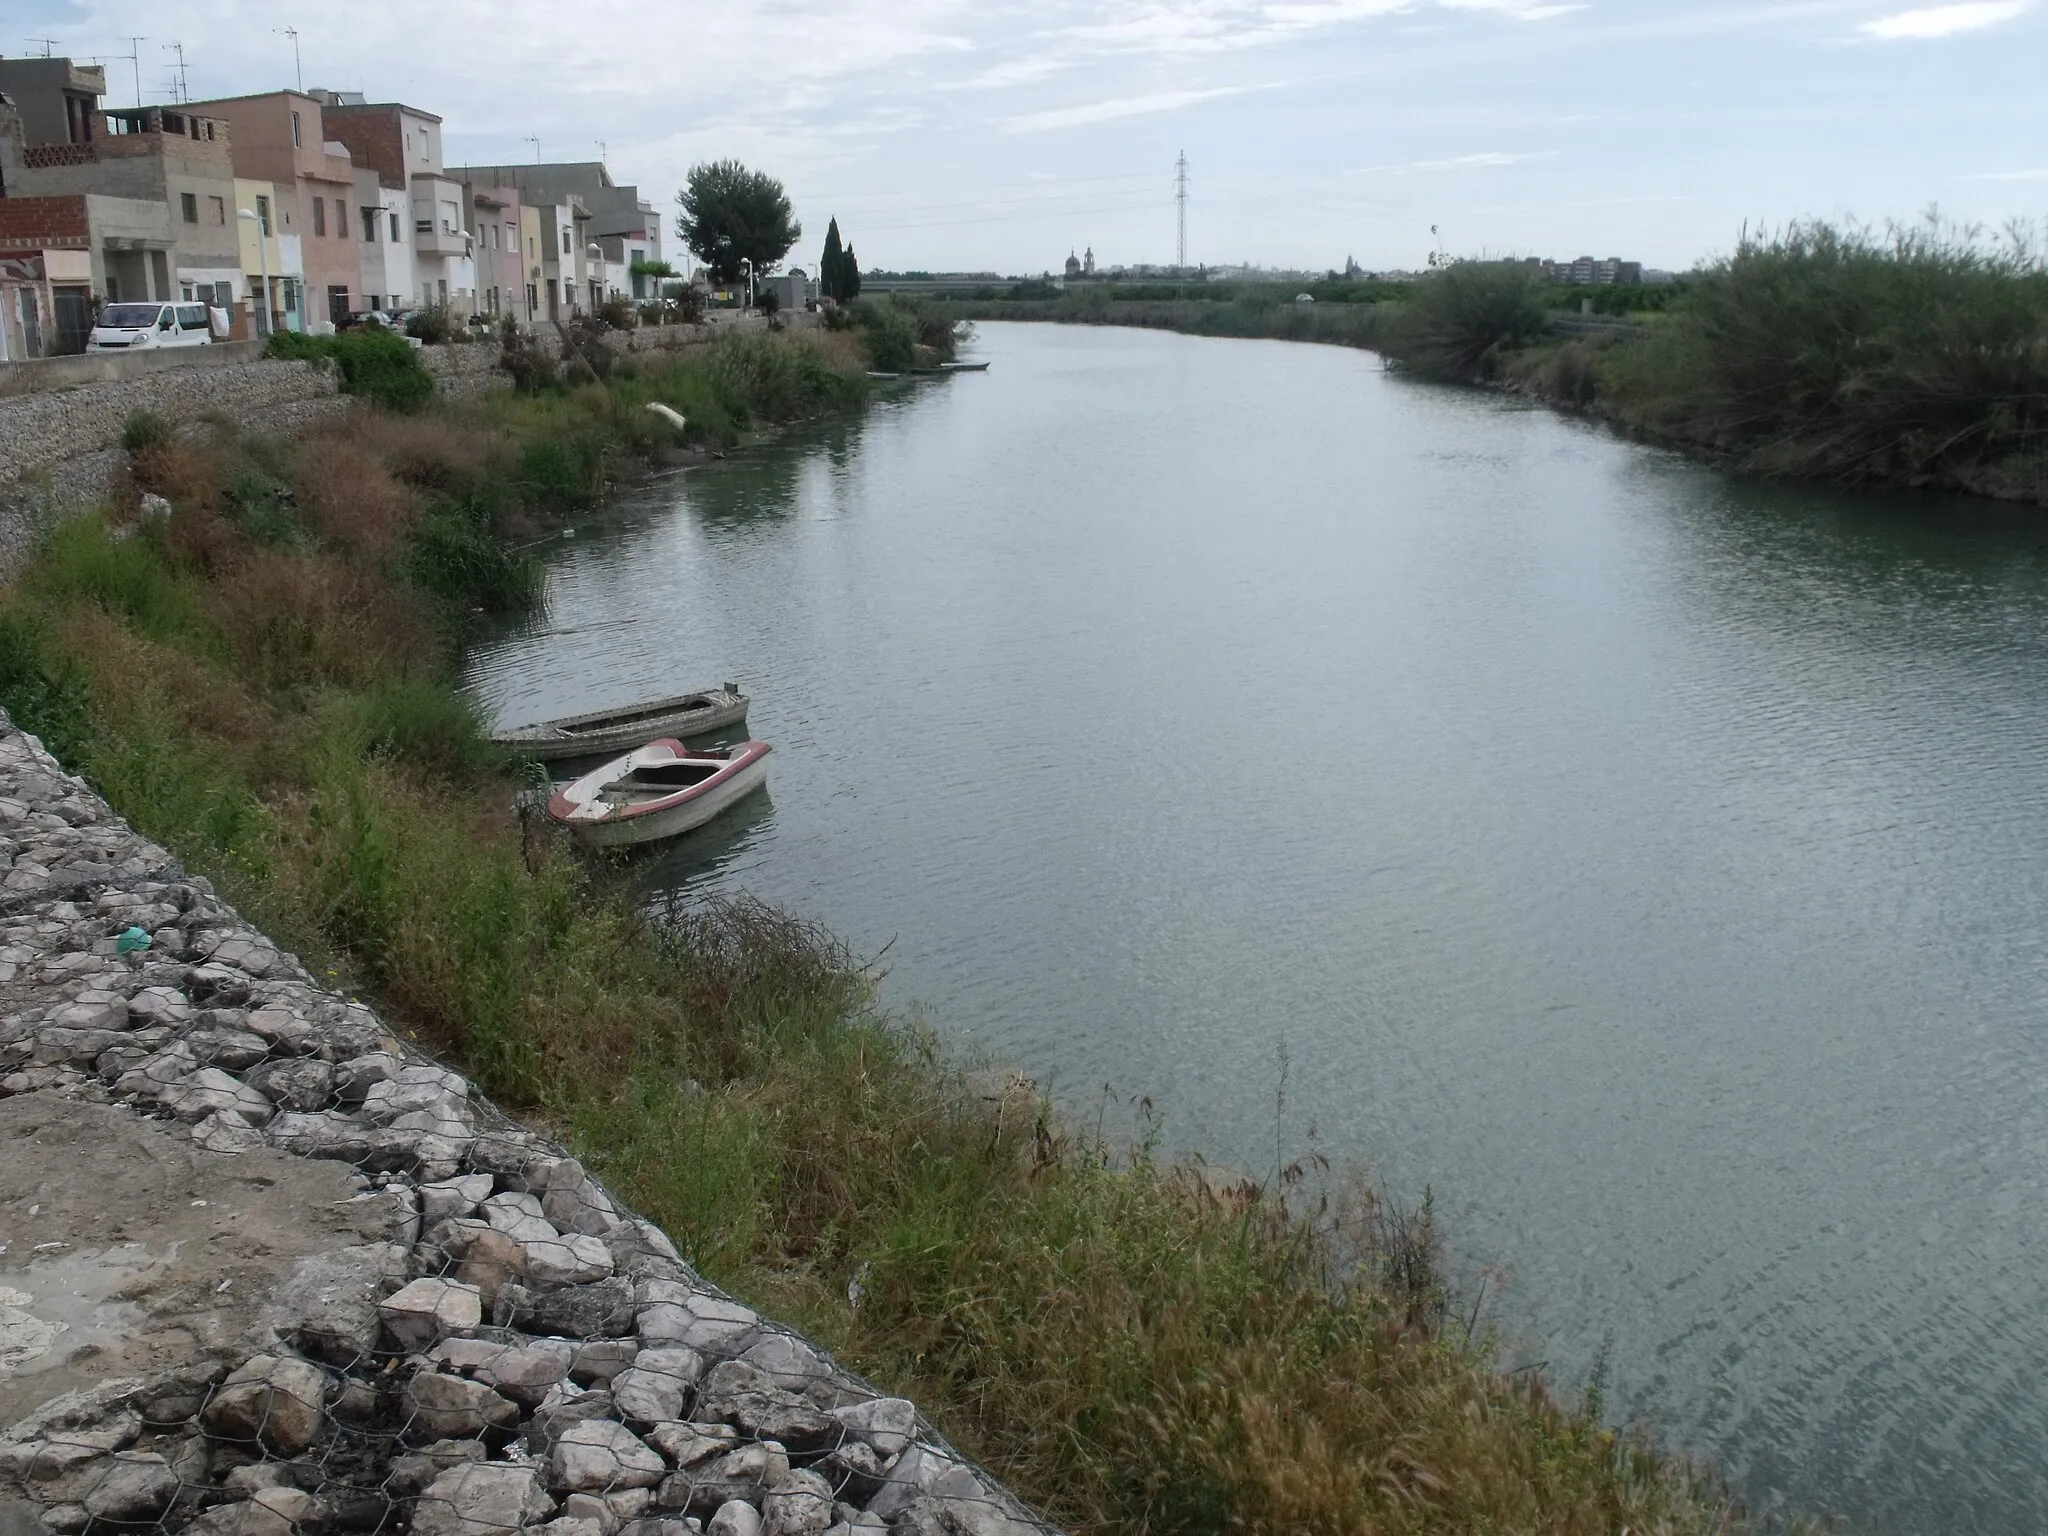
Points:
(996, 136)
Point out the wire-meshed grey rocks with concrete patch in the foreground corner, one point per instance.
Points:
(267, 1271)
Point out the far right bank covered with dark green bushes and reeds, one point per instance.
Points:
(1908, 359)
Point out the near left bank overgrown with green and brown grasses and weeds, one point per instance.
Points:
(263, 685)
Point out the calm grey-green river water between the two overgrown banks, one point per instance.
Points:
(1652, 865)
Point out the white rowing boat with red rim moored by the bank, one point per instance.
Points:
(658, 792)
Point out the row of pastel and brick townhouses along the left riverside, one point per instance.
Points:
(292, 210)
